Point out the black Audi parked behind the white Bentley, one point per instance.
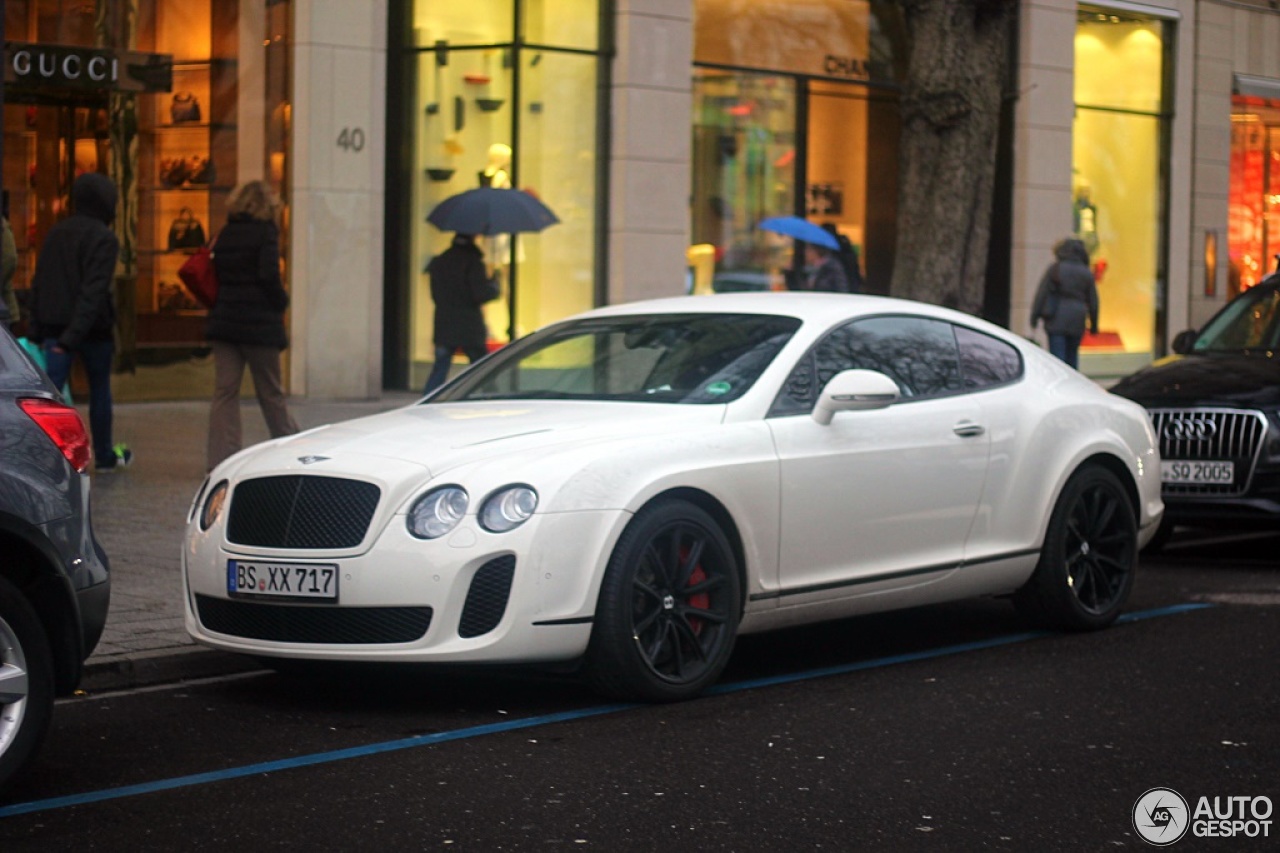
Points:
(1217, 409)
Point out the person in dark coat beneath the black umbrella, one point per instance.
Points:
(460, 286)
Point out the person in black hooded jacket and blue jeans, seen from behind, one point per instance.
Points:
(74, 307)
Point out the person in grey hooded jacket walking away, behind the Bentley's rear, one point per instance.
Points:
(1067, 300)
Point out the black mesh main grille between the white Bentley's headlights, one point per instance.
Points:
(301, 513)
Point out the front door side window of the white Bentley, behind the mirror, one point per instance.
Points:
(918, 354)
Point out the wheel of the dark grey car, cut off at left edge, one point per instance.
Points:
(26, 683)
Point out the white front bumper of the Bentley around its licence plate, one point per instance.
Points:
(472, 597)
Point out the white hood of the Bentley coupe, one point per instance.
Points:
(440, 437)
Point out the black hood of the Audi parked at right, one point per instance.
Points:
(1235, 380)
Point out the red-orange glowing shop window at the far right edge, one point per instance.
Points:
(1254, 220)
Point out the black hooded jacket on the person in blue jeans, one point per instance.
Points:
(72, 285)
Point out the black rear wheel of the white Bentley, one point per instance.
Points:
(1087, 564)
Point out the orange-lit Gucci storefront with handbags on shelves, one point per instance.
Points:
(177, 129)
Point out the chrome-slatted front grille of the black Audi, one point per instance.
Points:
(1210, 436)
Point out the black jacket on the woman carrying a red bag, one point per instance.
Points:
(252, 299)
